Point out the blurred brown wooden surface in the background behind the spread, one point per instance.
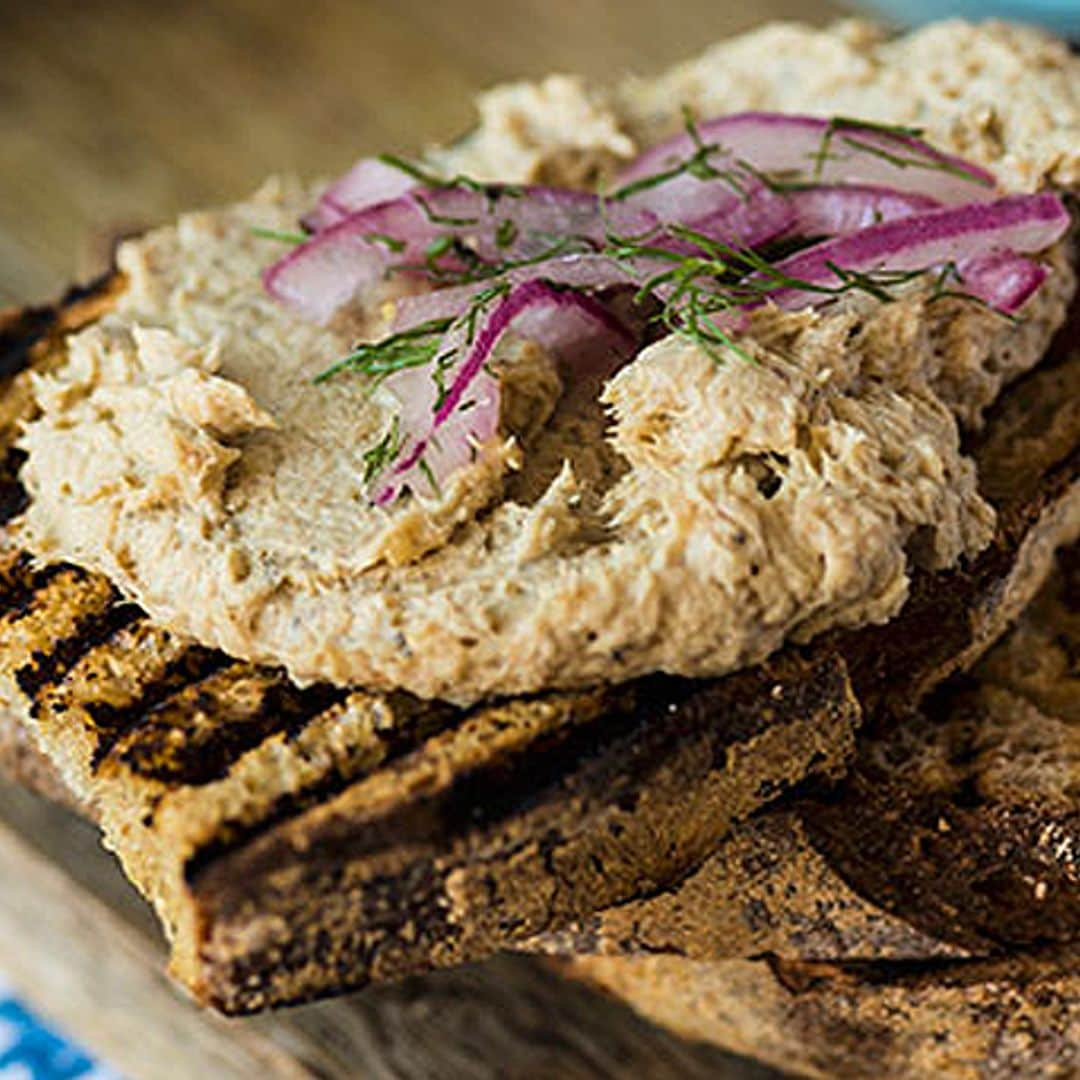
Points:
(118, 115)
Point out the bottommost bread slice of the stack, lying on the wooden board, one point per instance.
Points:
(995, 1018)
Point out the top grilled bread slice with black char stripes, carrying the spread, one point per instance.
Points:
(304, 843)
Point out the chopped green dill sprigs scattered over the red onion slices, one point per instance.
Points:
(698, 293)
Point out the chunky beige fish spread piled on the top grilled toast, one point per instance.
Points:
(686, 515)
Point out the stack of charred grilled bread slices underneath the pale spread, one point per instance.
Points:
(861, 857)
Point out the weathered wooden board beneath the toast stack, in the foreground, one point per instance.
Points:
(85, 952)
